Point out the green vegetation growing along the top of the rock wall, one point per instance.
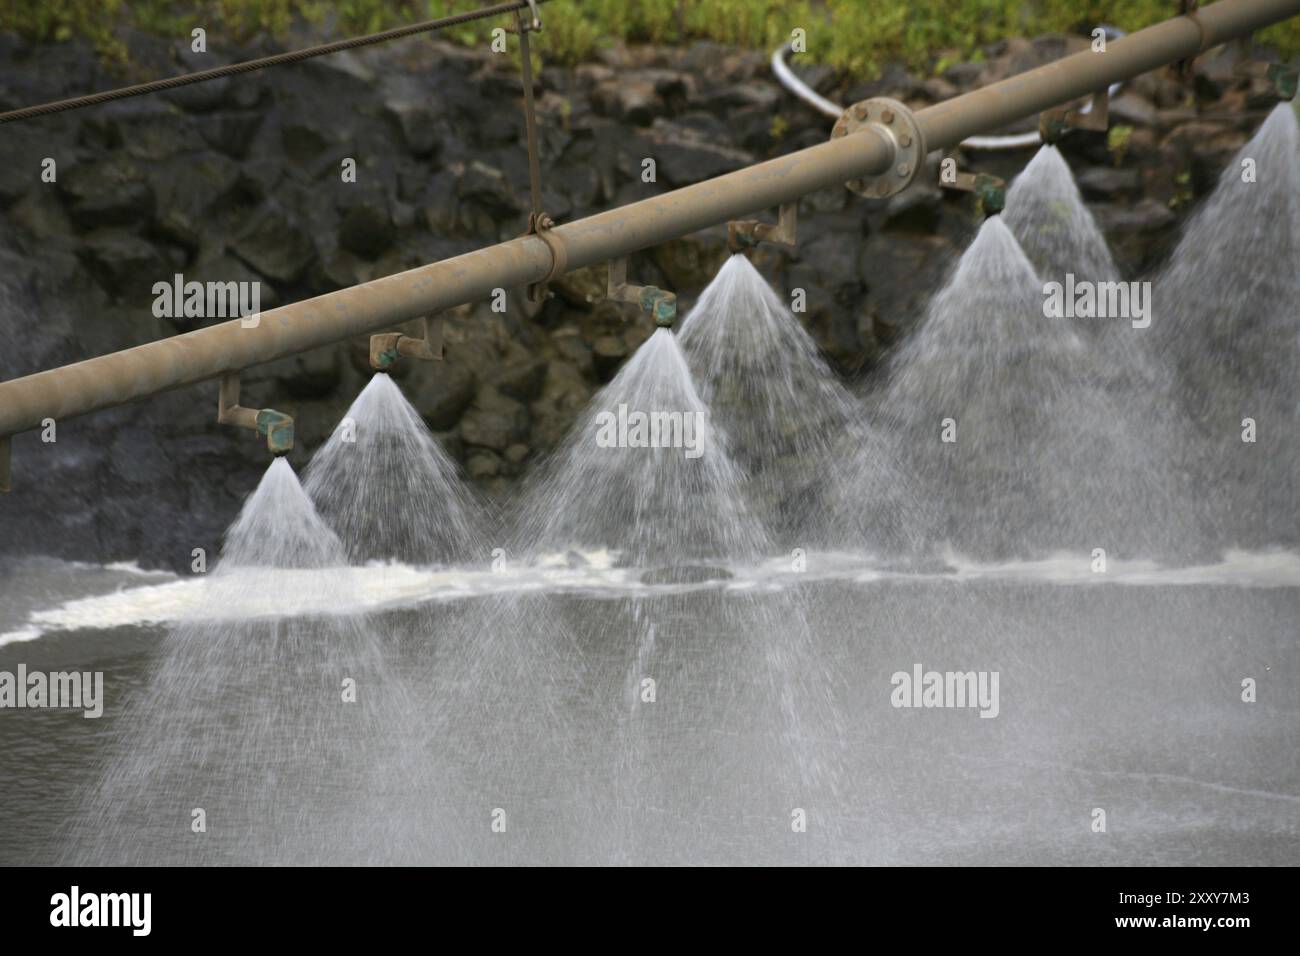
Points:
(852, 36)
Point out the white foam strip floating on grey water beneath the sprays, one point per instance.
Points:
(270, 594)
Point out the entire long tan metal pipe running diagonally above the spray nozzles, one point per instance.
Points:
(120, 378)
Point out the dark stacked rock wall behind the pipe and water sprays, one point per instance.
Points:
(241, 180)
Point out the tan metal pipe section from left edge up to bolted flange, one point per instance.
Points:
(194, 357)
